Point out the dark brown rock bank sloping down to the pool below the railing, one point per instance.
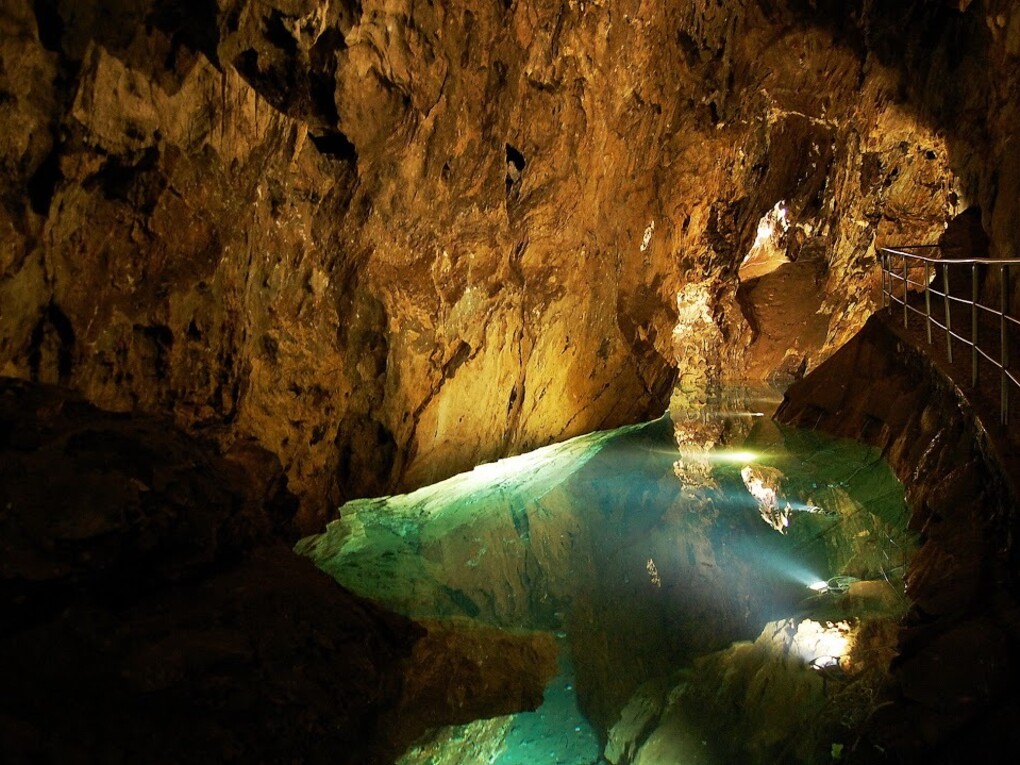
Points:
(955, 681)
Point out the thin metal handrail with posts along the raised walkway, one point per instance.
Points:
(900, 272)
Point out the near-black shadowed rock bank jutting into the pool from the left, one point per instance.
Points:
(152, 610)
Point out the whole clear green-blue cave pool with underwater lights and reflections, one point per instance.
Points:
(674, 562)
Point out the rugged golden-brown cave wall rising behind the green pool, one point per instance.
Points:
(390, 240)
